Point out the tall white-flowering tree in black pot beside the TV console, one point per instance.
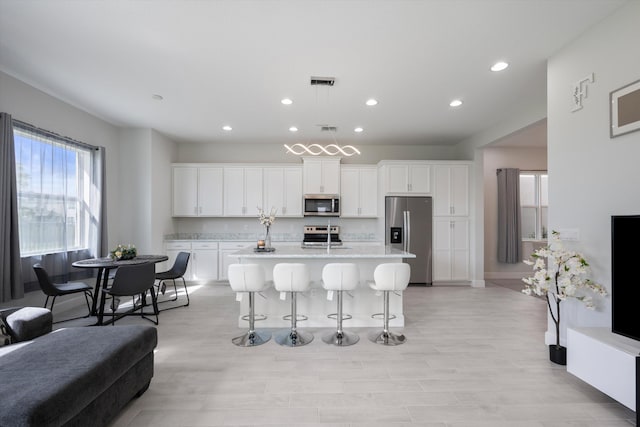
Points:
(560, 274)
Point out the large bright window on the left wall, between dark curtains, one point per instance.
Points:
(54, 187)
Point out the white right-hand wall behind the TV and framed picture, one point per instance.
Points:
(591, 176)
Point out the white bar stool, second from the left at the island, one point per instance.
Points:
(293, 278)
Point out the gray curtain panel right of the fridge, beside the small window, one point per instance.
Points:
(509, 230)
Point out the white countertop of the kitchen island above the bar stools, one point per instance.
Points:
(296, 251)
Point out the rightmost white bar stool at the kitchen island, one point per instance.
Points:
(390, 277)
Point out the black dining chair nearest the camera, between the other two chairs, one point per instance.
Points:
(134, 281)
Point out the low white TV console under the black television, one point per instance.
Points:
(607, 361)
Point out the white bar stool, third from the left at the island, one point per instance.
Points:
(340, 277)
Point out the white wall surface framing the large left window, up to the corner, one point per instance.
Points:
(33, 106)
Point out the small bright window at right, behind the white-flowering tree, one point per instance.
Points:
(534, 204)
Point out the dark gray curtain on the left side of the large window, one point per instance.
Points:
(10, 273)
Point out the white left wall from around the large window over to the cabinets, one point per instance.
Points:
(138, 163)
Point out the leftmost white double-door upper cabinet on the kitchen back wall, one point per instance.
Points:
(197, 191)
